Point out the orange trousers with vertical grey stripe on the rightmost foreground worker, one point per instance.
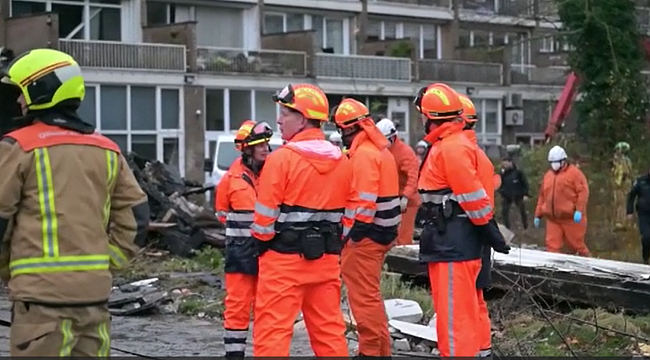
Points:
(453, 289)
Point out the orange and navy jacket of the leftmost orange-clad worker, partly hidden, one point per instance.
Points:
(235, 204)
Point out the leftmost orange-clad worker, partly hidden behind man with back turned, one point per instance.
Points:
(235, 204)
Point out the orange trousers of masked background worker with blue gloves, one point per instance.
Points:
(561, 232)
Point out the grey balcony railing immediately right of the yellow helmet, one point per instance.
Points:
(117, 55)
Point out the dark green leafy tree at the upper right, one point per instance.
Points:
(608, 58)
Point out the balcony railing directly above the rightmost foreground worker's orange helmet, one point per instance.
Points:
(461, 71)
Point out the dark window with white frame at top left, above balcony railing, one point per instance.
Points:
(89, 20)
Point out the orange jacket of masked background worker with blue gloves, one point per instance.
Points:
(562, 194)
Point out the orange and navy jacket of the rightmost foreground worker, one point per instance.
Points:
(450, 179)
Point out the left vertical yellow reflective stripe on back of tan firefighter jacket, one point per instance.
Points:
(49, 225)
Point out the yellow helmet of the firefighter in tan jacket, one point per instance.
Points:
(46, 77)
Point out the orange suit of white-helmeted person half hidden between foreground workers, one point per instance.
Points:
(408, 166)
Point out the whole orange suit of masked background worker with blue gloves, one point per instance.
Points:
(560, 196)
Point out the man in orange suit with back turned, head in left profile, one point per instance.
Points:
(301, 201)
